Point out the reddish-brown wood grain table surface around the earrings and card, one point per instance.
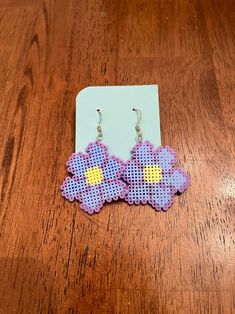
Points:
(53, 257)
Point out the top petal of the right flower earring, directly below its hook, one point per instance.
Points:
(143, 153)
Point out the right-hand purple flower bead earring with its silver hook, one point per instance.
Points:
(152, 175)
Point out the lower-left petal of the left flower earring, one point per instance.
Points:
(71, 188)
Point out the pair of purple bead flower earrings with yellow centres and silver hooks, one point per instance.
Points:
(150, 176)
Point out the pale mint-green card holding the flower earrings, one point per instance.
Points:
(118, 118)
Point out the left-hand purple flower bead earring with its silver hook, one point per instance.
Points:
(96, 176)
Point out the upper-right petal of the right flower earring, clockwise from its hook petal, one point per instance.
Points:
(166, 157)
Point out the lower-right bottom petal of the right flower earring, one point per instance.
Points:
(161, 197)
